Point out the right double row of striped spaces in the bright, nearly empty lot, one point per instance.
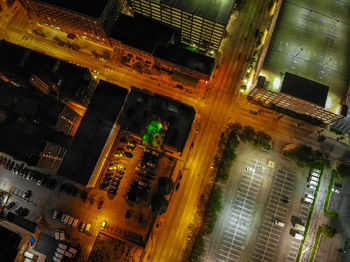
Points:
(268, 240)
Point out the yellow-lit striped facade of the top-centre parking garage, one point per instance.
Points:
(197, 30)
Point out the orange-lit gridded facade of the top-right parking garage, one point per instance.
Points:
(293, 103)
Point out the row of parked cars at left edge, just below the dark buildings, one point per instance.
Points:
(20, 169)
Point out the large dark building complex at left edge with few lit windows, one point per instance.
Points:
(35, 95)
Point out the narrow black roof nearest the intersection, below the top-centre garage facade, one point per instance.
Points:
(186, 58)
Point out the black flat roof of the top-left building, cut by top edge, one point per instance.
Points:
(91, 8)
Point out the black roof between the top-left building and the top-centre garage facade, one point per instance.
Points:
(141, 32)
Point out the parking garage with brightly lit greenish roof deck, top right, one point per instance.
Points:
(302, 71)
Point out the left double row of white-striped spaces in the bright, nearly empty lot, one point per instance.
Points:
(237, 227)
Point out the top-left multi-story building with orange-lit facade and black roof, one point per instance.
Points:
(87, 19)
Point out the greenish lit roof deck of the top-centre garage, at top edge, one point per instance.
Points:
(215, 10)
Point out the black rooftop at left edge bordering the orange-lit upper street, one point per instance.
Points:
(20, 64)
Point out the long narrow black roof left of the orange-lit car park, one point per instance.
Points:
(93, 132)
